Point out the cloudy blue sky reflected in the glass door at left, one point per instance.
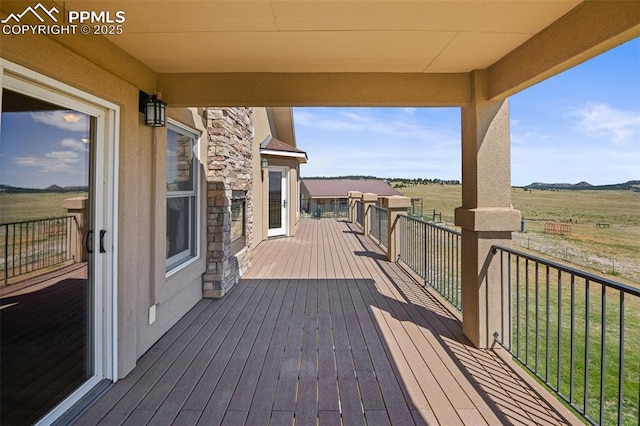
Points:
(43, 148)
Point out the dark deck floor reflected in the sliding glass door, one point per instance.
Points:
(42, 332)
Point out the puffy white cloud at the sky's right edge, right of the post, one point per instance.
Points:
(600, 120)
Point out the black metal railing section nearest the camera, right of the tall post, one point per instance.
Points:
(576, 332)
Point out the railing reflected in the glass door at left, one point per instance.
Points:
(33, 245)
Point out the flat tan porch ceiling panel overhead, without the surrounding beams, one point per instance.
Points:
(330, 36)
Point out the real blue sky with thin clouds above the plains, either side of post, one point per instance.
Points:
(581, 125)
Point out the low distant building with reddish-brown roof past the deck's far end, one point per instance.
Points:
(328, 197)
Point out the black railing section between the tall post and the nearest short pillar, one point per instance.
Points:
(433, 252)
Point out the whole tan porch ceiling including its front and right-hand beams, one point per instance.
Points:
(356, 52)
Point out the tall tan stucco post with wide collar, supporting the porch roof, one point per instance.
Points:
(486, 216)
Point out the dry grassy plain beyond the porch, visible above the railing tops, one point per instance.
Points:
(613, 251)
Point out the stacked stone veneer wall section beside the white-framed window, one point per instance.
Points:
(229, 160)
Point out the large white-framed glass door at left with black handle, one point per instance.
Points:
(54, 240)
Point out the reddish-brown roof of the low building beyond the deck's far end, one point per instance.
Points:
(338, 188)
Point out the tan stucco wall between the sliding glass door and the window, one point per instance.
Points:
(140, 194)
